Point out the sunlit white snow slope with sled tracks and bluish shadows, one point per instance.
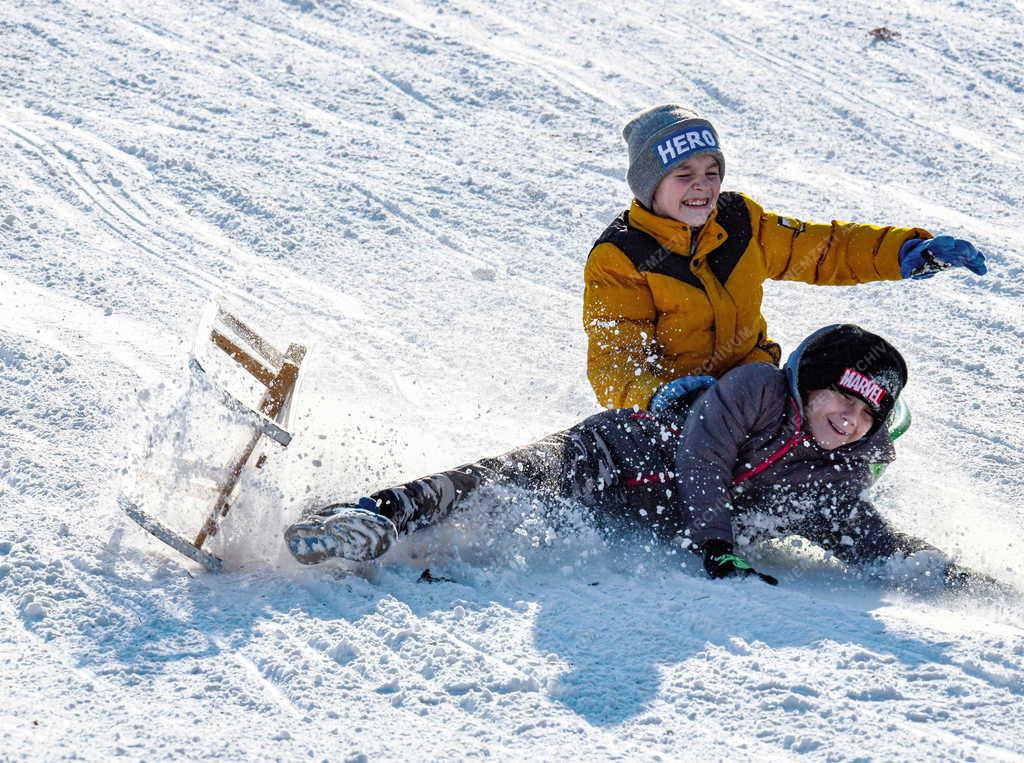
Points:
(411, 189)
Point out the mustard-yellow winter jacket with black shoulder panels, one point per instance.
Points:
(663, 301)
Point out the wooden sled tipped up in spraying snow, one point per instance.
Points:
(277, 375)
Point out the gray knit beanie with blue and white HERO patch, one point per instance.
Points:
(662, 138)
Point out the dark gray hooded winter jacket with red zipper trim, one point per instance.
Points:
(741, 460)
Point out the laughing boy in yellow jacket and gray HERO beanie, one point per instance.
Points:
(674, 285)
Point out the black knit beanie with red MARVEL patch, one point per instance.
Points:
(855, 362)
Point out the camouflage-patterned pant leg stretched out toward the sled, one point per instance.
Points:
(576, 463)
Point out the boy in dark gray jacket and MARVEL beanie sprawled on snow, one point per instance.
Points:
(796, 444)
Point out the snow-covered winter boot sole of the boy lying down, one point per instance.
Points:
(357, 532)
